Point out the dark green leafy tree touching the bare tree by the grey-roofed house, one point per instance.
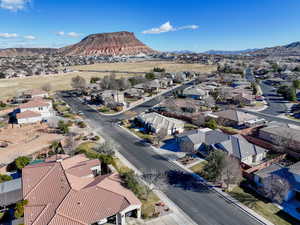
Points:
(215, 165)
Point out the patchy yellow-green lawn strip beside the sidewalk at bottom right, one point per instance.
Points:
(263, 207)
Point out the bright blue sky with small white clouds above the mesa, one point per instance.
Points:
(196, 25)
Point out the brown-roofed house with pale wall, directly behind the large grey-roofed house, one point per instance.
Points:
(233, 118)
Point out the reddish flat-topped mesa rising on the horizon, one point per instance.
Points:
(116, 43)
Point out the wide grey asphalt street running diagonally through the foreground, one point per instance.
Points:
(203, 205)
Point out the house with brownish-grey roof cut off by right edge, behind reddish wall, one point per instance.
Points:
(281, 134)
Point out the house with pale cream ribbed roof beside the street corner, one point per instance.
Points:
(154, 122)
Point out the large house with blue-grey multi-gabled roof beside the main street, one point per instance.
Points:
(205, 140)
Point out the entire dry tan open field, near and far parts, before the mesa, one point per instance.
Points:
(10, 87)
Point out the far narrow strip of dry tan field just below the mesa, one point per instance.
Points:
(146, 66)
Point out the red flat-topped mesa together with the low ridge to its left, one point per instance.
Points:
(104, 44)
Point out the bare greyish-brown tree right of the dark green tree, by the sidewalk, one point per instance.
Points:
(231, 172)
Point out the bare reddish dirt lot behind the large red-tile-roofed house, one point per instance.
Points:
(24, 140)
